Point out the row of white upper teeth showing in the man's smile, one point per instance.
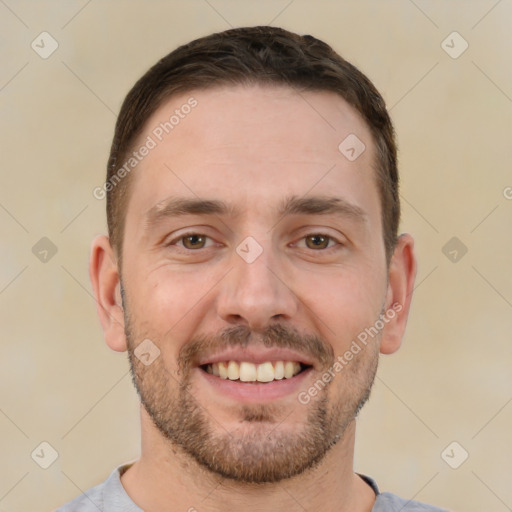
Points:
(250, 372)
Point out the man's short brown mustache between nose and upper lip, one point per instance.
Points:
(276, 335)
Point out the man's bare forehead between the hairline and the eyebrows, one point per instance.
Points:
(252, 144)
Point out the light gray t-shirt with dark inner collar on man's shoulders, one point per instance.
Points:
(110, 496)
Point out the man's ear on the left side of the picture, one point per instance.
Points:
(104, 275)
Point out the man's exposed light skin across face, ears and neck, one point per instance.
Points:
(252, 148)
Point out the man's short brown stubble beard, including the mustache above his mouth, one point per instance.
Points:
(259, 450)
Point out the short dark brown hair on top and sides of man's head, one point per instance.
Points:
(254, 55)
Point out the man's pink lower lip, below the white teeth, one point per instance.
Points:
(257, 392)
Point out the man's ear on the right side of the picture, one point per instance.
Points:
(402, 273)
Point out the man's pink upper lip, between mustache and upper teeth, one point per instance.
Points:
(256, 355)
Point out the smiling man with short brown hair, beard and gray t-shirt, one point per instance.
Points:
(253, 273)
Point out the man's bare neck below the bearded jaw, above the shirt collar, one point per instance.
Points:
(165, 479)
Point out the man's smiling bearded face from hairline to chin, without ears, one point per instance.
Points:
(250, 240)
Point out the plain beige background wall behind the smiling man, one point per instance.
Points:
(452, 379)
